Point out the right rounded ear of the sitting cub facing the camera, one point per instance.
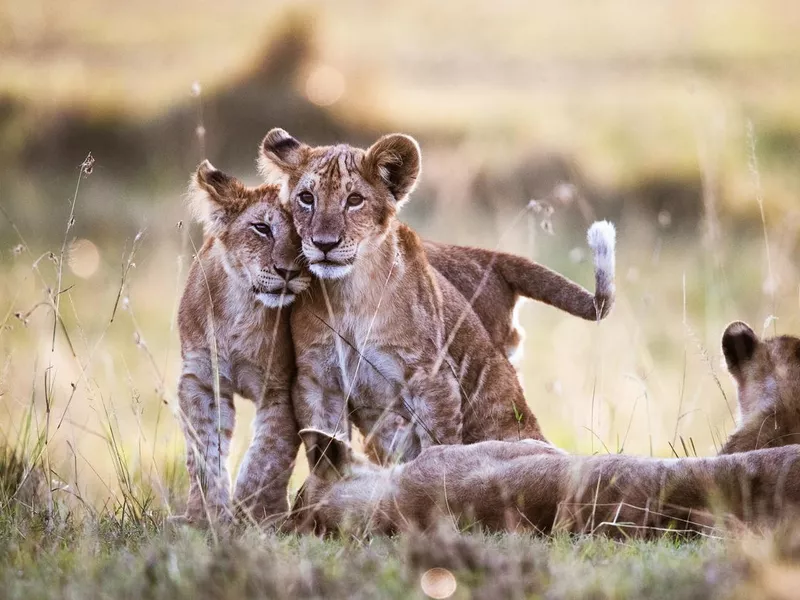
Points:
(396, 160)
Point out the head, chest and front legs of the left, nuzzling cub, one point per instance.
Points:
(235, 339)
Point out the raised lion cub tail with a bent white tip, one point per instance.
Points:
(537, 282)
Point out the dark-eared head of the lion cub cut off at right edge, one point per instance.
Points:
(767, 376)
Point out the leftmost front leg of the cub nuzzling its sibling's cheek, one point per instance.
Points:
(207, 418)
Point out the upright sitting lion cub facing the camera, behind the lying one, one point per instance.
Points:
(383, 334)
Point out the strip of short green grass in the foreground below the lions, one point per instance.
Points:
(101, 556)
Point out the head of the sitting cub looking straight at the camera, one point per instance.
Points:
(343, 199)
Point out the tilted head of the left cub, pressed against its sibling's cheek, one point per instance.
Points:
(260, 246)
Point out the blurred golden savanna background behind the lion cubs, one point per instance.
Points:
(678, 120)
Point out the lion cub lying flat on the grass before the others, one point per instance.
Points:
(511, 486)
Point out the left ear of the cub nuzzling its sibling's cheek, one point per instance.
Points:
(214, 197)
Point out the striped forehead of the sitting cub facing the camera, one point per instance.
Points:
(332, 169)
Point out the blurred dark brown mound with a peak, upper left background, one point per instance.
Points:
(135, 149)
